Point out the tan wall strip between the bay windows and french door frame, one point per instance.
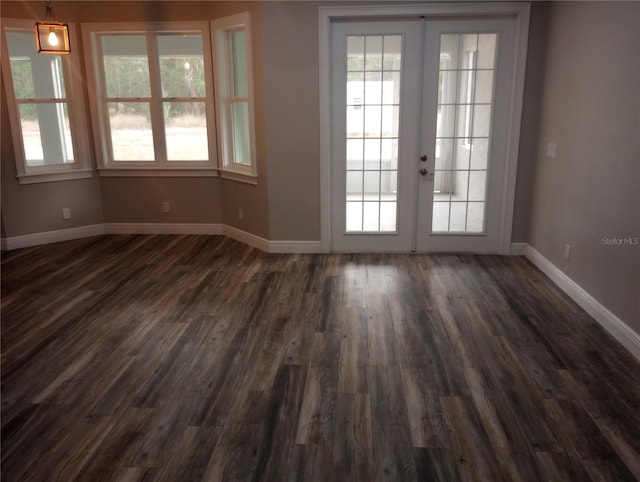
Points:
(292, 130)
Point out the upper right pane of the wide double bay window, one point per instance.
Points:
(181, 65)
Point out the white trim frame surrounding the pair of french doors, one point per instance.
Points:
(520, 12)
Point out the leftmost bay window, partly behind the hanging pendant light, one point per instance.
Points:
(45, 109)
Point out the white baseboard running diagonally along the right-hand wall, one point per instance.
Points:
(610, 322)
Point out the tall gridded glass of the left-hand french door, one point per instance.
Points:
(373, 117)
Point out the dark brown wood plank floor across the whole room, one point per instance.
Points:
(198, 358)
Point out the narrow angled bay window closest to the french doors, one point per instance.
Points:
(234, 96)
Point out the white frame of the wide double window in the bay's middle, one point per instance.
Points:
(161, 165)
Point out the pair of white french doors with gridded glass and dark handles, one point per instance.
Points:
(419, 123)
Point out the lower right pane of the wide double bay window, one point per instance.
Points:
(186, 131)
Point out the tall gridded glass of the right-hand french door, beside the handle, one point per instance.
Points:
(463, 131)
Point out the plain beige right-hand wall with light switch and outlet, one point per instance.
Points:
(591, 190)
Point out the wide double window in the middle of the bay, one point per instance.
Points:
(153, 106)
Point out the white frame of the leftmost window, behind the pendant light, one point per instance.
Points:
(82, 166)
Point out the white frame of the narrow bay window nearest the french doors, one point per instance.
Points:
(221, 29)
